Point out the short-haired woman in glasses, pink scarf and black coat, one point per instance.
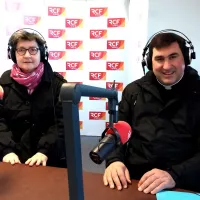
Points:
(31, 126)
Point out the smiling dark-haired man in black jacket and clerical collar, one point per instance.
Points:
(163, 109)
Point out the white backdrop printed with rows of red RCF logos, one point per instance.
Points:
(91, 42)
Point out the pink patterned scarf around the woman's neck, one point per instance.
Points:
(29, 80)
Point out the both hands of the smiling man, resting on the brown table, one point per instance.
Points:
(116, 174)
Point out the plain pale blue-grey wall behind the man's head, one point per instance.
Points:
(182, 15)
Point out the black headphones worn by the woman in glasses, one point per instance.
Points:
(43, 49)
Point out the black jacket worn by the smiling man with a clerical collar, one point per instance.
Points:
(165, 128)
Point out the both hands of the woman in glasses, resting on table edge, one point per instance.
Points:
(37, 159)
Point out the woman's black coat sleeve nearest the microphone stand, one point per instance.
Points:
(56, 131)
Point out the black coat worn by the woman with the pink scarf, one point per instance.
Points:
(31, 123)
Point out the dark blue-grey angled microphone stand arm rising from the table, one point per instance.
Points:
(70, 96)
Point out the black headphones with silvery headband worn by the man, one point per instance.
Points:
(188, 52)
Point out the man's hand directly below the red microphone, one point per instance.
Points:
(116, 174)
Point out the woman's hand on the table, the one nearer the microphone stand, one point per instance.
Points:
(37, 159)
